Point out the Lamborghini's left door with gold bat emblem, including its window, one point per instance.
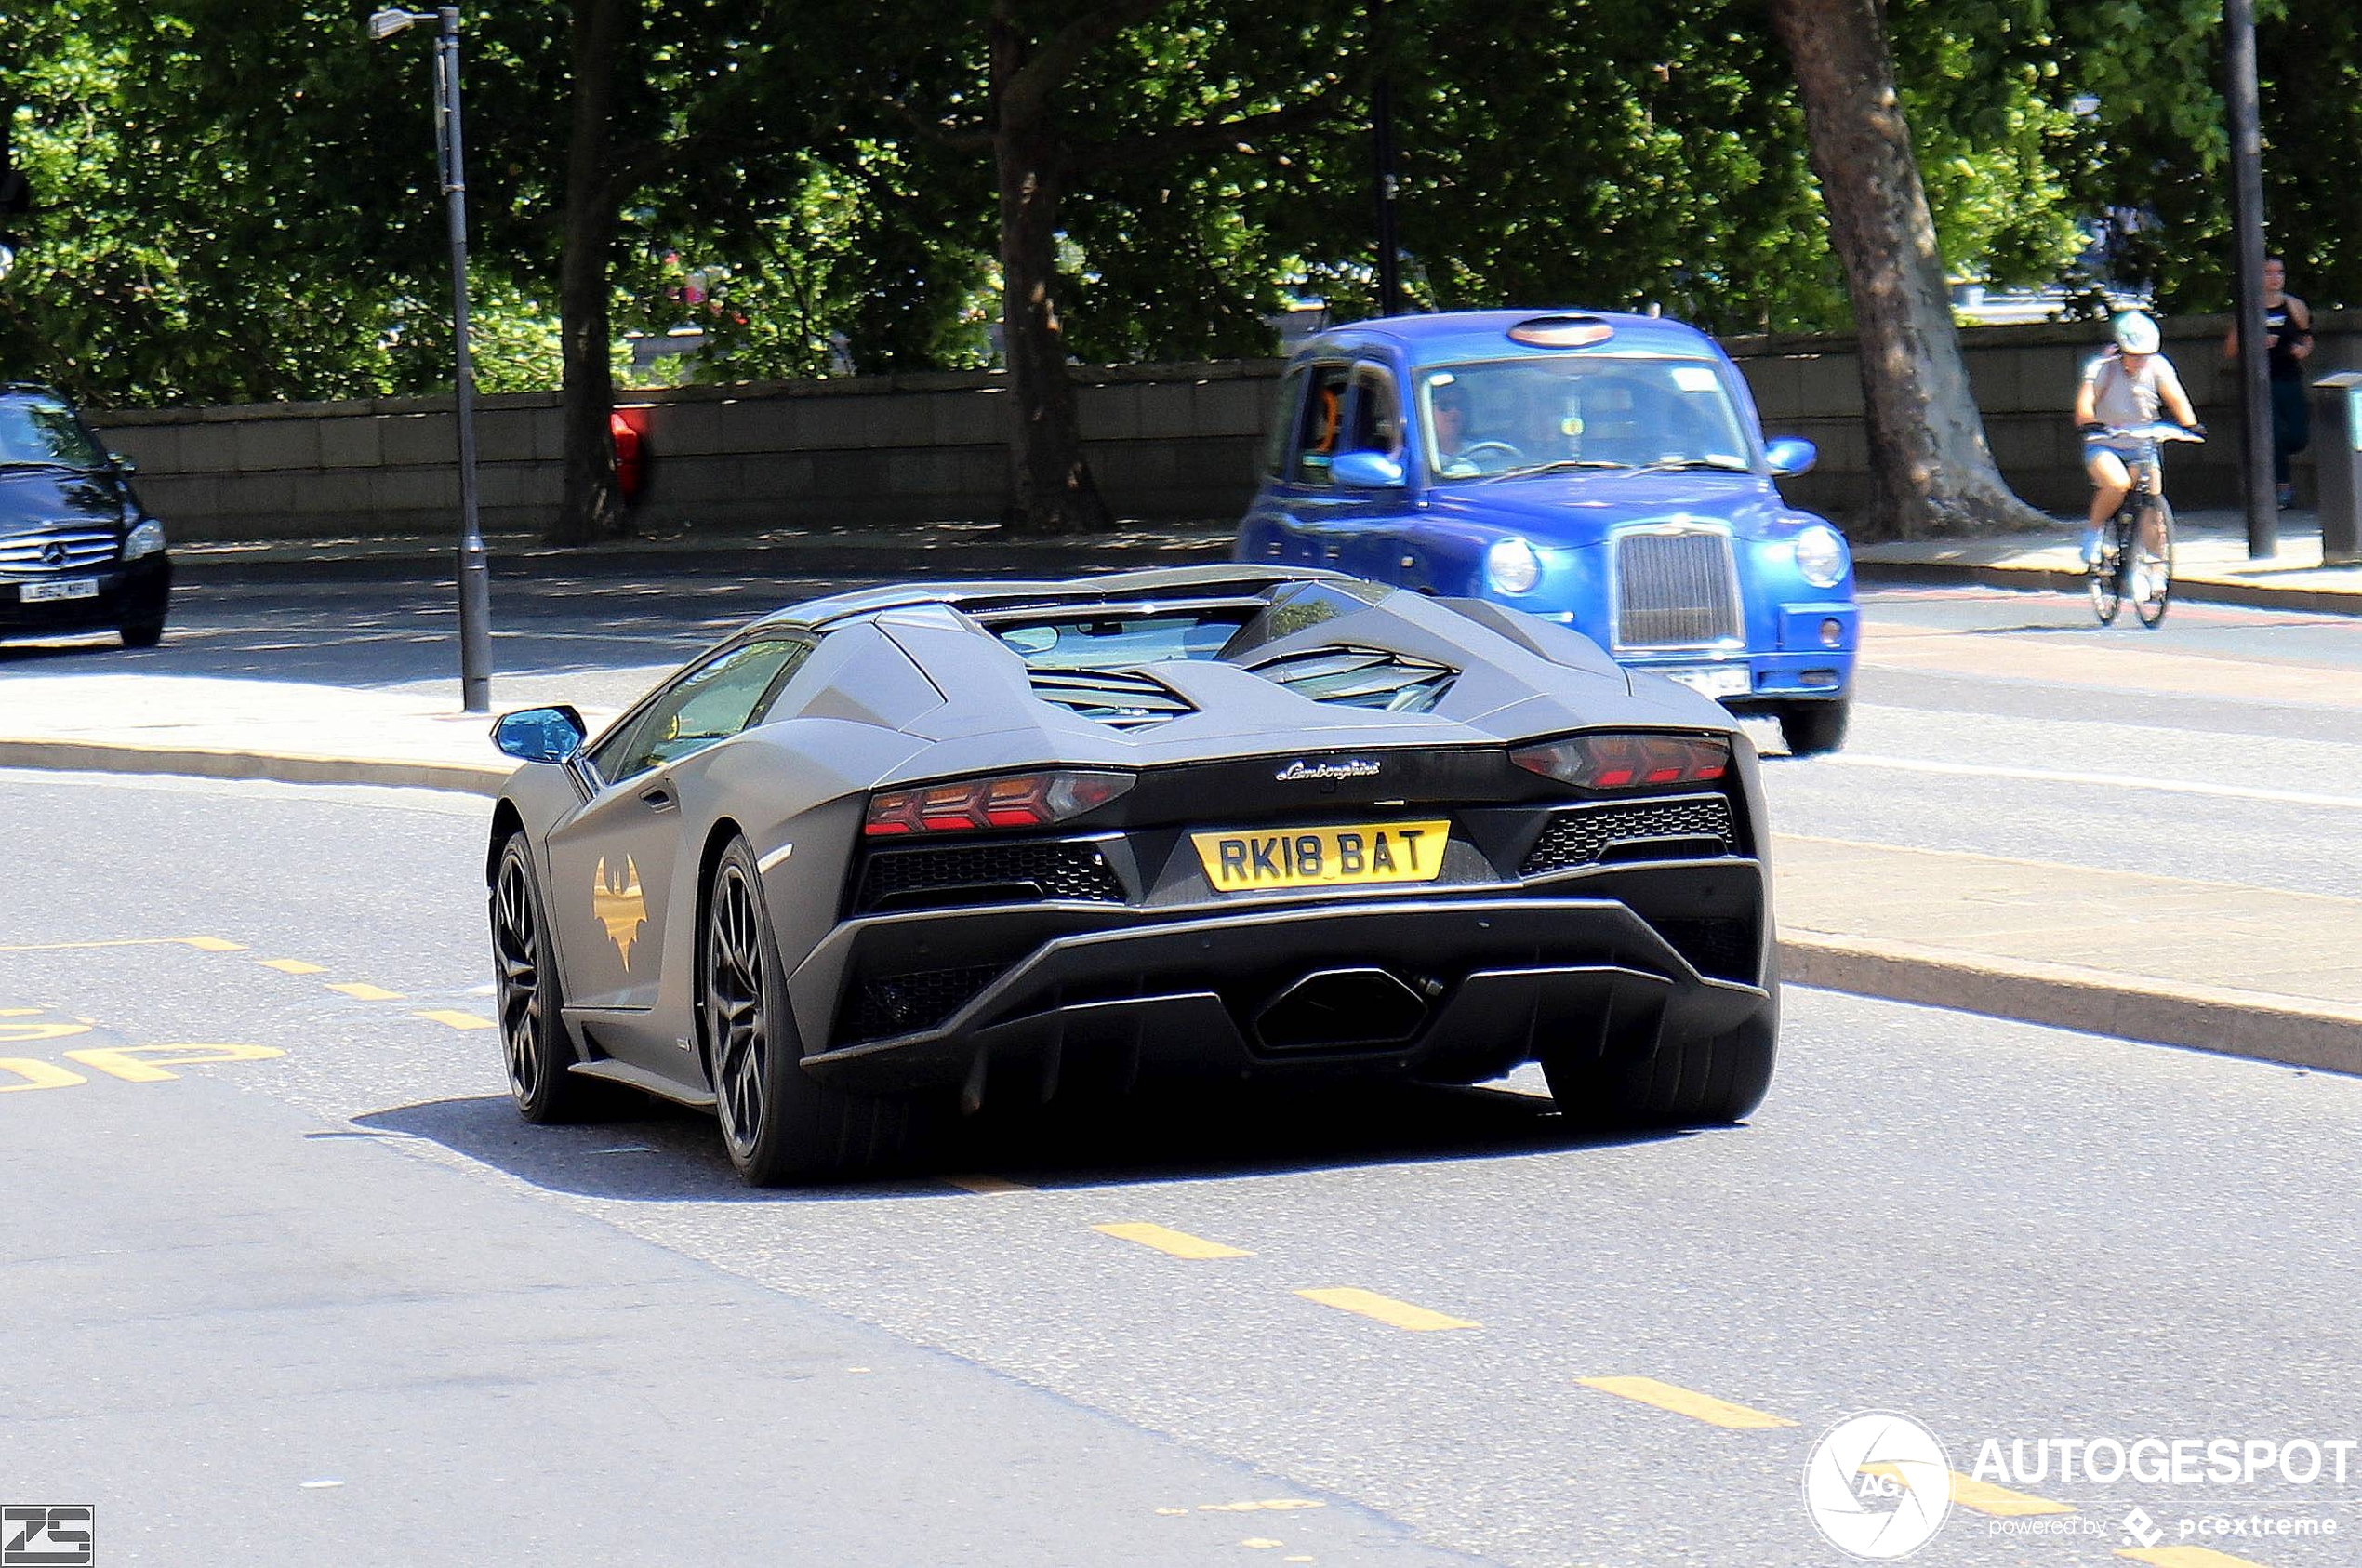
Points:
(615, 868)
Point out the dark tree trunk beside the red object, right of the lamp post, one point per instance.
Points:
(592, 504)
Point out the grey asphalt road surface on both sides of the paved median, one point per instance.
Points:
(327, 1300)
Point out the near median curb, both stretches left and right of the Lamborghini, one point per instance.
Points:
(2255, 1026)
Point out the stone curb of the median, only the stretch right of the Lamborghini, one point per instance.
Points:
(2221, 1021)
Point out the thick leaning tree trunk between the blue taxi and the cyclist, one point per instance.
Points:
(1931, 471)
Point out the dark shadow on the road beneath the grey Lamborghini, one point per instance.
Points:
(667, 1154)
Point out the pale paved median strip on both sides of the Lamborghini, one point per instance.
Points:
(2146, 958)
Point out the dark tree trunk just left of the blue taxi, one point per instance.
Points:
(1050, 485)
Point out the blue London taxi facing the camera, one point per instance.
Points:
(1593, 469)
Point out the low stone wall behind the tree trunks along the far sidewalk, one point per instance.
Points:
(1166, 443)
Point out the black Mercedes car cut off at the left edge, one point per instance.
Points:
(77, 549)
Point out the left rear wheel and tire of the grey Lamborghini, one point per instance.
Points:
(778, 1121)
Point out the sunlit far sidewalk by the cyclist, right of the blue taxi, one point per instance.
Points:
(2210, 563)
